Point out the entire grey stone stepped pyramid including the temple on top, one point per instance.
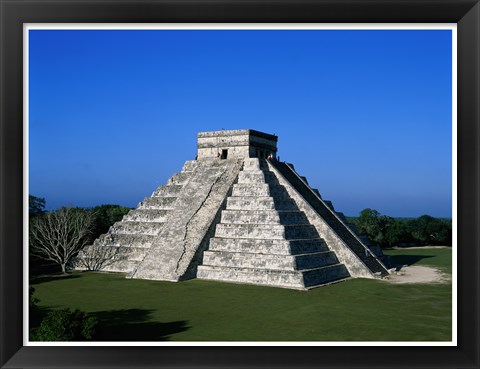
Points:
(236, 214)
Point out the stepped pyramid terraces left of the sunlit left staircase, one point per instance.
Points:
(128, 241)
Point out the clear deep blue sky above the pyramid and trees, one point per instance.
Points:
(364, 115)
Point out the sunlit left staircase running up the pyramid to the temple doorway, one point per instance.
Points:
(180, 243)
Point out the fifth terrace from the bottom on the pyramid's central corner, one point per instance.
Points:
(263, 217)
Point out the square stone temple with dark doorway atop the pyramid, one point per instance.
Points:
(238, 143)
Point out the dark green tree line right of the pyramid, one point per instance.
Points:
(387, 231)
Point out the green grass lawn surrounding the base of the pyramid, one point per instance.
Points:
(196, 310)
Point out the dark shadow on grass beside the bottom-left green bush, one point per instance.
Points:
(134, 325)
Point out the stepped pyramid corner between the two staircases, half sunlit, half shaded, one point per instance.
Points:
(263, 238)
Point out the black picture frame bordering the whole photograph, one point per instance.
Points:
(466, 13)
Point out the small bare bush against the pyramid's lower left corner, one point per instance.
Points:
(98, 256)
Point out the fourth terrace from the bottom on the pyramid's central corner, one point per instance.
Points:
(266, 231)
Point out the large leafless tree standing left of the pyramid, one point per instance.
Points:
(59, 235)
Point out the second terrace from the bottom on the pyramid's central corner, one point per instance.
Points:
(269, 261)
